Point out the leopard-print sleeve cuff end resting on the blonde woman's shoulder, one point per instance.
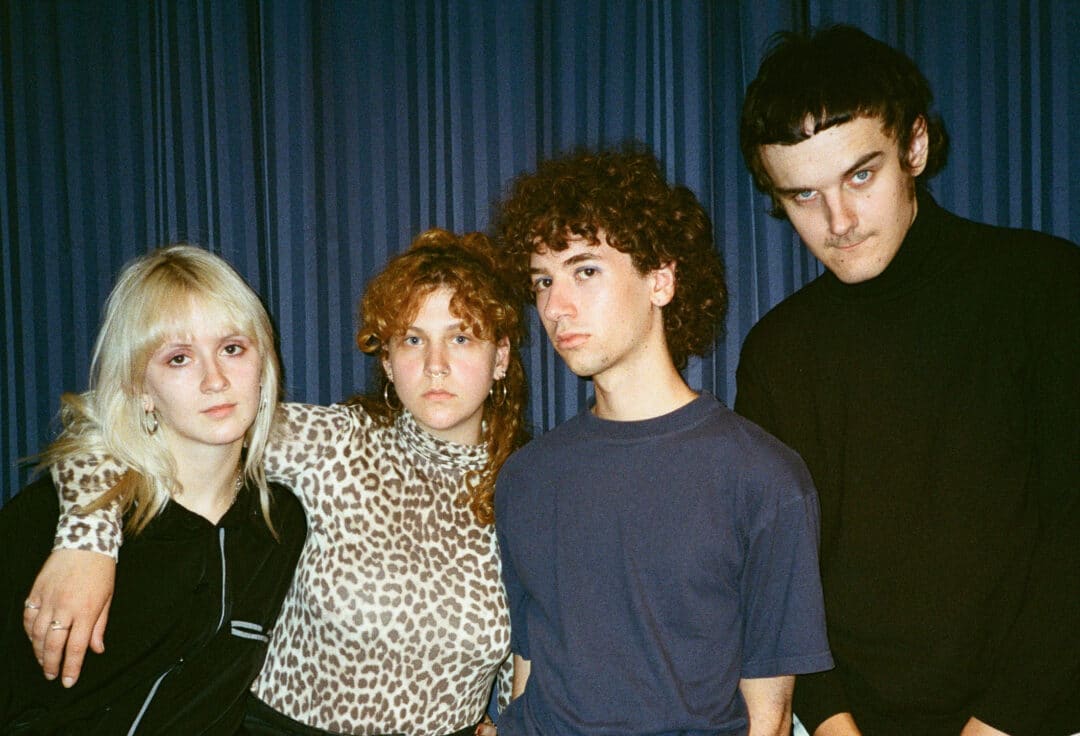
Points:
(79, 481)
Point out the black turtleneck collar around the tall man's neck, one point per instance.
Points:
(921, 256)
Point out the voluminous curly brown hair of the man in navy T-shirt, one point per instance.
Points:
(622, 194)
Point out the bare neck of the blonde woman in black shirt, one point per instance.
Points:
(209, 479)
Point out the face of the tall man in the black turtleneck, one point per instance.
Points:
(848, 194)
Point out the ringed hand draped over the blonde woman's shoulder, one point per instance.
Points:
(67, 610)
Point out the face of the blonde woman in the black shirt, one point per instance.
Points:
(204, 383)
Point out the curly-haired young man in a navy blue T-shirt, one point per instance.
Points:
(659, 552)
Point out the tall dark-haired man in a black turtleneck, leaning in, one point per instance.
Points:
(930, 382)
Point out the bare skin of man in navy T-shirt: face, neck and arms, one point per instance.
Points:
(605, 319)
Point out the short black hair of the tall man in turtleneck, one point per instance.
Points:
(832, 77)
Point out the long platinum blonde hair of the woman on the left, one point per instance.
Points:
(152, 302)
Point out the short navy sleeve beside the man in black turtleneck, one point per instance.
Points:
(781, 597)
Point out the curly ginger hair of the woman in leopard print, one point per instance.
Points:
(488, 307)
